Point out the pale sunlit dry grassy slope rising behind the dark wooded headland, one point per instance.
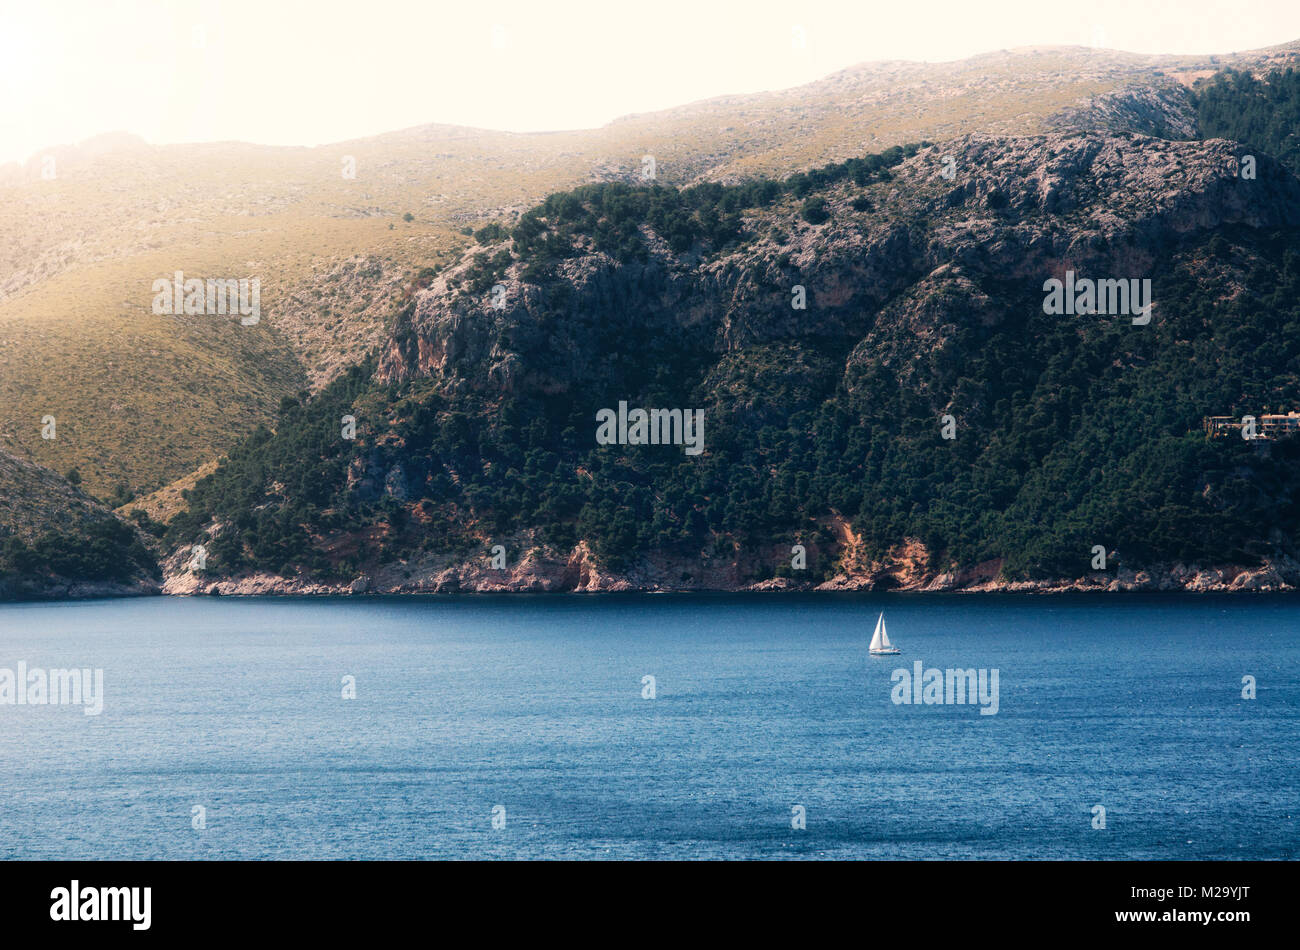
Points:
(148, 400)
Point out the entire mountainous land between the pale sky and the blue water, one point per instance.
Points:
(375, 292)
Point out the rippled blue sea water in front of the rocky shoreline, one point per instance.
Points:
(764, 702)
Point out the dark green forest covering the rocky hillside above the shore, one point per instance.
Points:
(1069, 437)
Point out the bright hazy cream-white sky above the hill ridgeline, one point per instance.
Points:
(310, 72)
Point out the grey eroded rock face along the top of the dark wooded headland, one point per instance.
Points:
(1016, 210)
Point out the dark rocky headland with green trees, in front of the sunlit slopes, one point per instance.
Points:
(924, 420)
